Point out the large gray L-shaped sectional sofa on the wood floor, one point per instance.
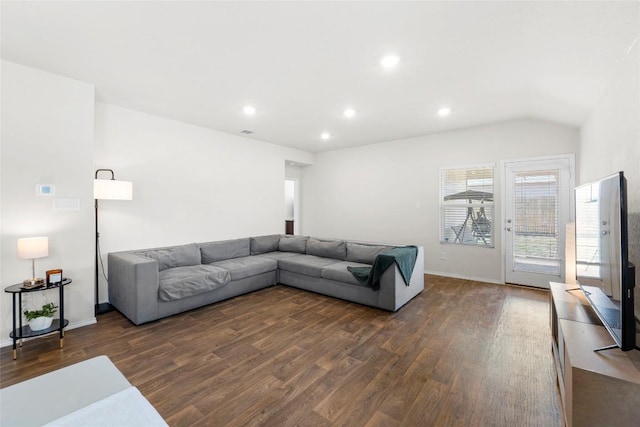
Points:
(150, 284)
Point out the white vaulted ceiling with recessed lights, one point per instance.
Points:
(301, 64)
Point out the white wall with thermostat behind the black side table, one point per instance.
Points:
(47, 138)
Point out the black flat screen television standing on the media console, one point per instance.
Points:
(603, 270)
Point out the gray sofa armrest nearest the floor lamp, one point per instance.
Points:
(133, 286)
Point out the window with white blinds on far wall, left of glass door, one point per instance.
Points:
(466, 206)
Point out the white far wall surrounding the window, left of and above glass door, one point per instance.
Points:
(389, 192)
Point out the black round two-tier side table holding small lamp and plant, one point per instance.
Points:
(19, 331)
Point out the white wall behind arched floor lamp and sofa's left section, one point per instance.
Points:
(190, 184)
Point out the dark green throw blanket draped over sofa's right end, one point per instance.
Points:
(404, 257)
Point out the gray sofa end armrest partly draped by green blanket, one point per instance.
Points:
(394, 293)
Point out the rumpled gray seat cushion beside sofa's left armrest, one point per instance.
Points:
(182, 282)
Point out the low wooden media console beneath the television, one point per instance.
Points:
(596, 388)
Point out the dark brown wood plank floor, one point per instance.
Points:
(461, 353)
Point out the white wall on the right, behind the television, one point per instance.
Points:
(610, 142)
